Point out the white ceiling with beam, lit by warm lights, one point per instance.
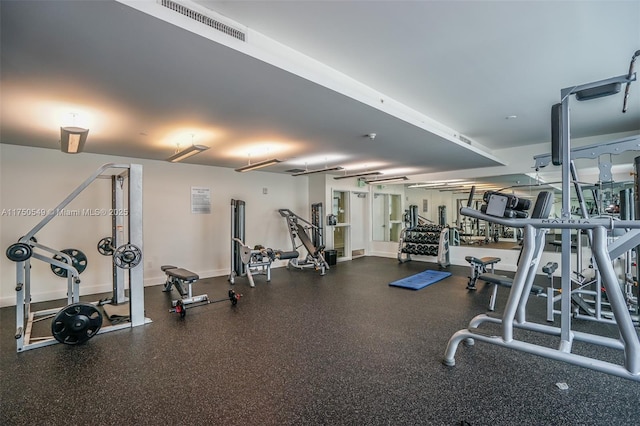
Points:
(313, 78)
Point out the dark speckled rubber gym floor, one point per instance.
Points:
(305, 349)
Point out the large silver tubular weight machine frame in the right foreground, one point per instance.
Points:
(515, 311)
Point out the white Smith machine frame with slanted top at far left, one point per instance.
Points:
(25, 317)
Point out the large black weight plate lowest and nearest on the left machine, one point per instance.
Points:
(76, 323)
